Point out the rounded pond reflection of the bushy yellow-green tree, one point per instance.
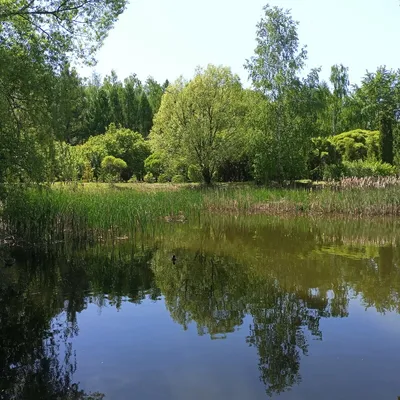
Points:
(204, 289)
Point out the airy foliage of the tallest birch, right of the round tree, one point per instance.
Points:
(281, 128)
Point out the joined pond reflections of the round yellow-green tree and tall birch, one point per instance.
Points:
(216, 293)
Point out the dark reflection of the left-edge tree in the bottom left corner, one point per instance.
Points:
(32, 340)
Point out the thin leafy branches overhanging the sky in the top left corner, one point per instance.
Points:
(60, 28)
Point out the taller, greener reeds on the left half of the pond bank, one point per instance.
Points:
(103, 213)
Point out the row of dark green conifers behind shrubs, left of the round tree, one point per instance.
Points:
(87, 107)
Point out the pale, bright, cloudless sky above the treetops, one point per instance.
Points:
(169, 38)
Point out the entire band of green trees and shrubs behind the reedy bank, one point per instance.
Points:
(289, 125)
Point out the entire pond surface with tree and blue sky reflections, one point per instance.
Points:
(253, 307)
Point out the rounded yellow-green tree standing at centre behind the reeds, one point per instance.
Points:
(199, 122)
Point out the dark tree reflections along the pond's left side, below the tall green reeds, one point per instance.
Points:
(40, 298)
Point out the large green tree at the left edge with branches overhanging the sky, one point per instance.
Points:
(37, 39)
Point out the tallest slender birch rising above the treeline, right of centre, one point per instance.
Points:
(274, 72)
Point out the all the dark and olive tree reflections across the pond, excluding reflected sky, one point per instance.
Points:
(286, 276)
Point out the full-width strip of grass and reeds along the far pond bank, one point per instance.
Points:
(101, 211)
